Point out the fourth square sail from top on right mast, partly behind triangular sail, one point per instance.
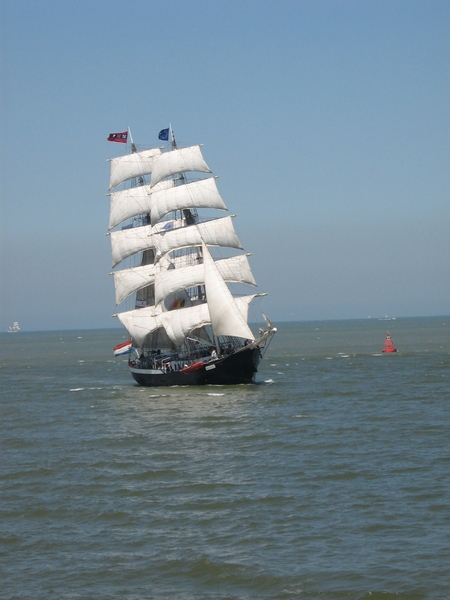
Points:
(233, 269)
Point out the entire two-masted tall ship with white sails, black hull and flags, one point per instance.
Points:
(186, 324)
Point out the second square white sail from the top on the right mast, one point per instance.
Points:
(198, 194)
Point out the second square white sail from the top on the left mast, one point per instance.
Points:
(133, 202)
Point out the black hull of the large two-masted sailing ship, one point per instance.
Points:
(234, 369)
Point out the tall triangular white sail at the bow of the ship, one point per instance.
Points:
(226, 317)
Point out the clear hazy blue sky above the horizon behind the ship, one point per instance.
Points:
(327, 120)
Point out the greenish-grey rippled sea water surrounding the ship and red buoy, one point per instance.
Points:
(329, 478)
